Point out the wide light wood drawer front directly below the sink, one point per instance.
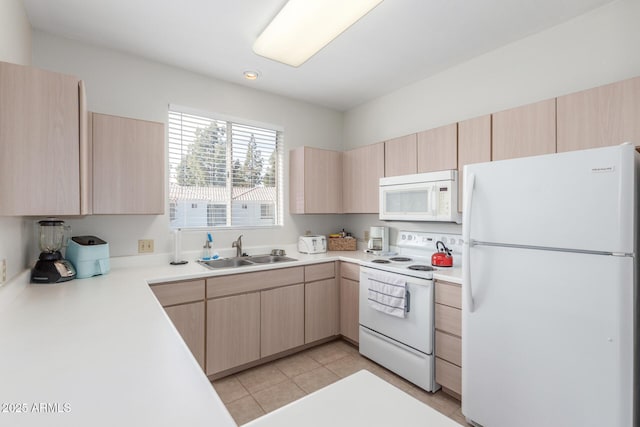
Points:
(255, 281)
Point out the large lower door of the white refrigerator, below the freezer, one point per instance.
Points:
(550, 339)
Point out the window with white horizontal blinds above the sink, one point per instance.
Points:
(223, 173)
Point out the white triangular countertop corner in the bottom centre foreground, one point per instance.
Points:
(361, 399)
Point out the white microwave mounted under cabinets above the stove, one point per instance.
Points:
(431, 196)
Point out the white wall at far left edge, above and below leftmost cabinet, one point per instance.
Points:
(15, 46)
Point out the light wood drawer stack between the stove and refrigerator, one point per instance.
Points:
(448, 343)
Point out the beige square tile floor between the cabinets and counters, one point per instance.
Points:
(254, 392)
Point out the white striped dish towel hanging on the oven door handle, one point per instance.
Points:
(387, 293)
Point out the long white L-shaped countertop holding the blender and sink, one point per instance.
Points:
(102, 352)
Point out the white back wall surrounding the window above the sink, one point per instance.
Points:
(129, 86)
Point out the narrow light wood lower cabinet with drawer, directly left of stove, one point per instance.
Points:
(349, 303)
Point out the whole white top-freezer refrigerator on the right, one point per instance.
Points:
(549, 321)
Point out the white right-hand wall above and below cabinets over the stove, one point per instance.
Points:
(597, 48)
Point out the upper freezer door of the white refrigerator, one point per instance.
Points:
(579, 200)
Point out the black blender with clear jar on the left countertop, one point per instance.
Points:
(51, 267)
